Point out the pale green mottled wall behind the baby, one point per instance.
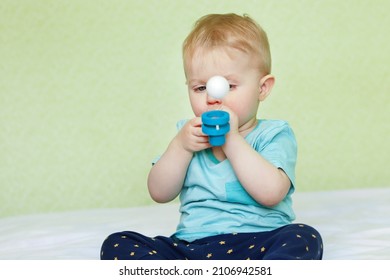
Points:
(90, 92)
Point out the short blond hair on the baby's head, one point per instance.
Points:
(232, 31)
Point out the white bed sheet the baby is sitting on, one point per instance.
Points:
(354, 224)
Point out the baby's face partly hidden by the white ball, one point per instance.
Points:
(238, 68)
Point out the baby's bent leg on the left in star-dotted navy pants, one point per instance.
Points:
(130, 245)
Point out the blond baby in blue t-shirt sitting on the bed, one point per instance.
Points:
(235, 199)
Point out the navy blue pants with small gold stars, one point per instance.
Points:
(295, 241)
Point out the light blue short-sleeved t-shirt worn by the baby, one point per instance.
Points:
(214, 202)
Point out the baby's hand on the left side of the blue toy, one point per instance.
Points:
(191, 137)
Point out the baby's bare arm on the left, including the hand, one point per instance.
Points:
(167, 176)
